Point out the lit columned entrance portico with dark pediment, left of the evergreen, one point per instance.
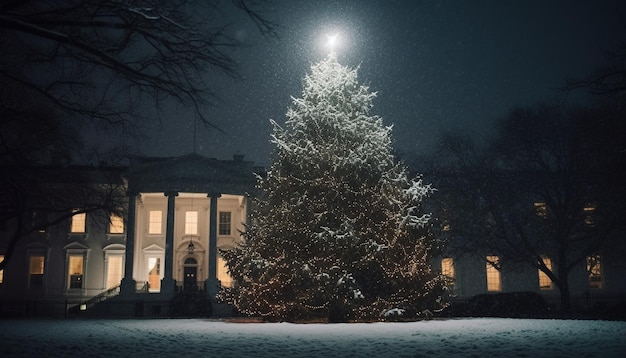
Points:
(181, 211)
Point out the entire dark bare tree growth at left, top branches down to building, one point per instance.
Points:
(65, 63)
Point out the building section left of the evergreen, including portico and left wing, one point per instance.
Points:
(180, 212)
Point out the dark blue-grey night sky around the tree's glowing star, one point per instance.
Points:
(436, 65)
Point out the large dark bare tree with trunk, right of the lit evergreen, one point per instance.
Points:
(566, 160)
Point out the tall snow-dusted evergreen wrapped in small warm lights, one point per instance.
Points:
(339, 232)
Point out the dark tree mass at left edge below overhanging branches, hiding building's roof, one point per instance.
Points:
(38, 188)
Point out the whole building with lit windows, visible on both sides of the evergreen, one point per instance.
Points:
(180, 212)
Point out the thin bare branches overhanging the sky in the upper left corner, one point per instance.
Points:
(103, 59)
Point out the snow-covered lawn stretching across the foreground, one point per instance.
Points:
(491, 337)
